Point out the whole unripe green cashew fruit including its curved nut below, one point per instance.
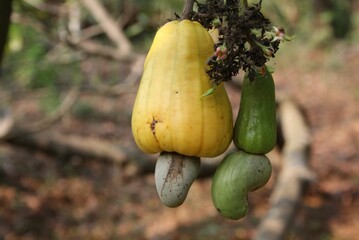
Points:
(254, 135)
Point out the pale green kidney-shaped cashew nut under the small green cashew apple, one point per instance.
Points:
(238, 174)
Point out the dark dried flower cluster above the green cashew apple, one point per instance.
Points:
(247, 40)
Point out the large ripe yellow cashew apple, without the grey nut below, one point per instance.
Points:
(170, 113)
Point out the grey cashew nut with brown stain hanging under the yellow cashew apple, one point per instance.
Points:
(174, 175)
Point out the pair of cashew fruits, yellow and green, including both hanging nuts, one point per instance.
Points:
(173, 115)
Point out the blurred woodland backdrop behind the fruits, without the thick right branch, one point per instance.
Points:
(69, 168)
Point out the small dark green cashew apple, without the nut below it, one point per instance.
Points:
(255, 130)
